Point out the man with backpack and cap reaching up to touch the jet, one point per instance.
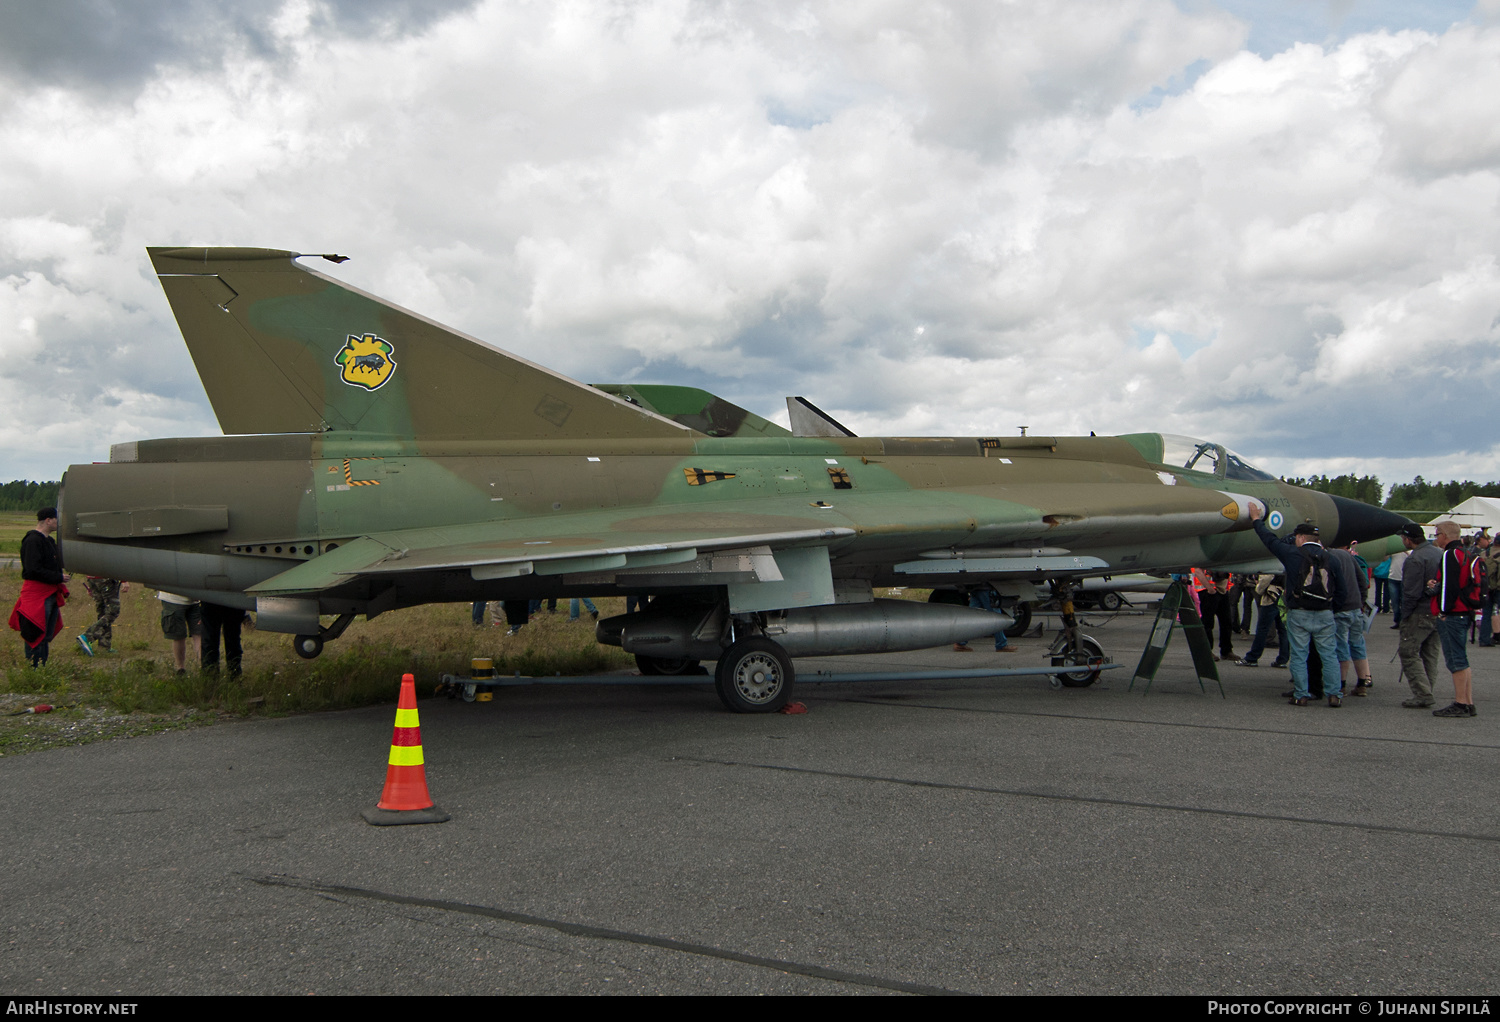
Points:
(1313, 591)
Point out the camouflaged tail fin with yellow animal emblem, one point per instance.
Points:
(284, 349)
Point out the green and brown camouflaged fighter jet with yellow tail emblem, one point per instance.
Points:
(376, 460)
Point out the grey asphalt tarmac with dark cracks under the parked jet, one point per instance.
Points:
(922, 838)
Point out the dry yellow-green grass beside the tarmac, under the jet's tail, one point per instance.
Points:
(362, 669)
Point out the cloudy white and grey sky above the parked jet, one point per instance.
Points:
(1273, 223)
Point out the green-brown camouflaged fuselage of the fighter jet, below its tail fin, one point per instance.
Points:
(217, 517)
